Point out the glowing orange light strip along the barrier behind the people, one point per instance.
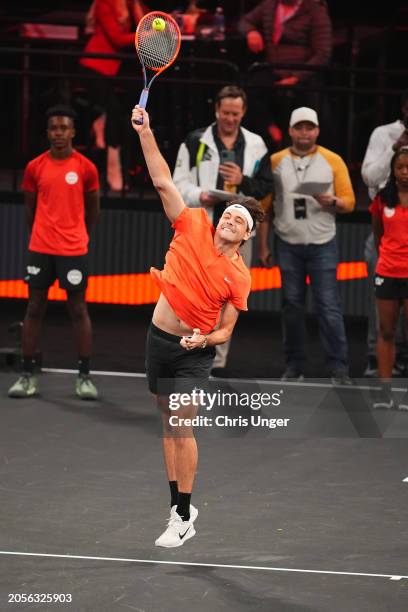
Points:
(135, 289)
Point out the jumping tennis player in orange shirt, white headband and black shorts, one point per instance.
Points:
(203, 272)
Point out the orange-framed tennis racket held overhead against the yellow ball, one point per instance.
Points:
(157, 42)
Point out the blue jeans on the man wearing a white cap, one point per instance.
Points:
(319, 261)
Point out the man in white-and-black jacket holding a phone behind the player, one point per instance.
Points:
(226, 157)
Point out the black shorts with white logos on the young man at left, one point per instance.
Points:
(43, 269)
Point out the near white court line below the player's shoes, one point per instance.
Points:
(192, 564)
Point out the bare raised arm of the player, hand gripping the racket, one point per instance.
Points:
(158, 168)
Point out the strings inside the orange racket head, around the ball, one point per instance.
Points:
(157, 48)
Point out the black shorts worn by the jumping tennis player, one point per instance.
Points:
(171, 368)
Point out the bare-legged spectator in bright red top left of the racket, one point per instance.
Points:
(111, 23)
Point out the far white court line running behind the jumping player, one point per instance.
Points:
(234, 380)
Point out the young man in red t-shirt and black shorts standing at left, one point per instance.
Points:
(61, 196)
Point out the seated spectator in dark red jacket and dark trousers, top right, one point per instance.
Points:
(291, 32)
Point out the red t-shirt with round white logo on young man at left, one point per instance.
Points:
(60, 184)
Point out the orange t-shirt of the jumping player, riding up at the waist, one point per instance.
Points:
(197, 280)
